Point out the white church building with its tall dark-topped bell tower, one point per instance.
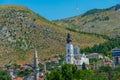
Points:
(73, 55)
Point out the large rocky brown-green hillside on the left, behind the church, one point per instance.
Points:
(21, 29)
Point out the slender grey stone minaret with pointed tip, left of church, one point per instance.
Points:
(36, 69)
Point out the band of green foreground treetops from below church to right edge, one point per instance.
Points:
(70, 72)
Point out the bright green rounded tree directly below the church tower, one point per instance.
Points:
(65, 73)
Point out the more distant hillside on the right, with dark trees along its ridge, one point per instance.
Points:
(100, 21)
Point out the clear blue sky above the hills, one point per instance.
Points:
(60, 9)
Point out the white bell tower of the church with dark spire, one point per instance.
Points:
(69, 50)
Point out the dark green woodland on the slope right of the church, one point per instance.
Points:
(104, 48)
